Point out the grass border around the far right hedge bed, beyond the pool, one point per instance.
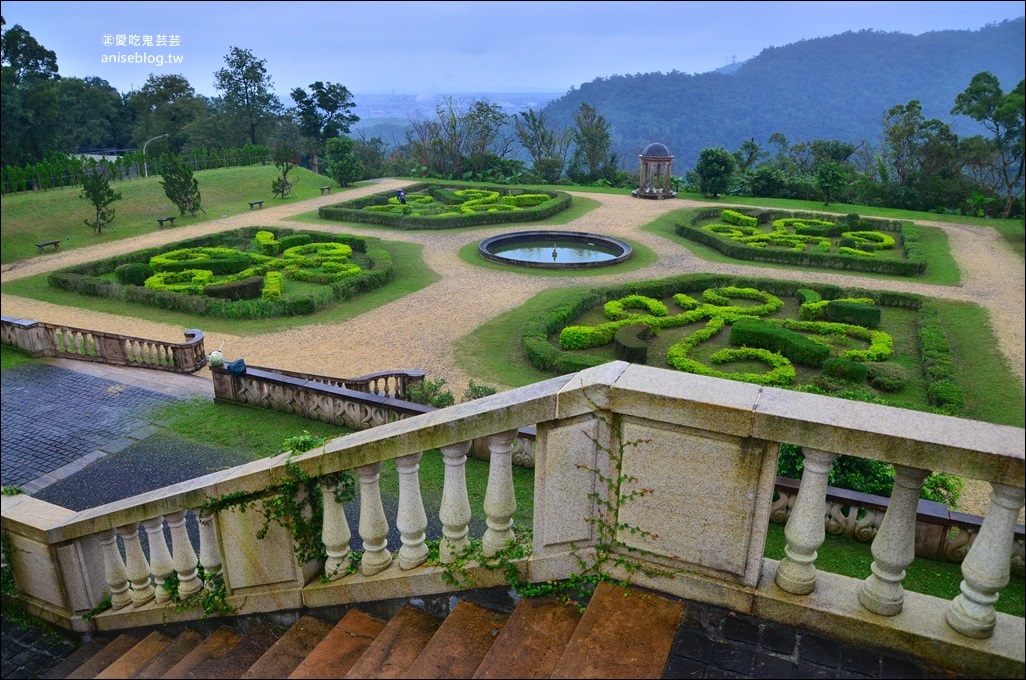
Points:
(941, 266)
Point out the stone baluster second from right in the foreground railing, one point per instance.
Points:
(894, 547)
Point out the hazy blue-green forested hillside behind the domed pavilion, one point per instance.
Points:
(828, 89)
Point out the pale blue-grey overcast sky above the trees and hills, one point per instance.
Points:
(455, 48)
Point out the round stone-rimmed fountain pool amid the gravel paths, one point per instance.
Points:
(555, 250)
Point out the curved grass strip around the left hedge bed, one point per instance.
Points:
(412, 274)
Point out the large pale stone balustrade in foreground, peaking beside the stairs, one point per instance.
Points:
(703, 451)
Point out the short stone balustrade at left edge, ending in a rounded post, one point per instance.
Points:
(40, 339)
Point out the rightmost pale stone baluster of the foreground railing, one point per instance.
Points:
(985, 570)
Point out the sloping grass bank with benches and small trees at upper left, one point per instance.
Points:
(31, 218)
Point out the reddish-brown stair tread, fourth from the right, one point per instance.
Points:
(398, 646)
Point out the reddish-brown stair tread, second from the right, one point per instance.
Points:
(533, 641)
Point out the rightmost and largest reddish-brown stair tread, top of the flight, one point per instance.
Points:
(623, 634)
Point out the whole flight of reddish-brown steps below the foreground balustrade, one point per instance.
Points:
(623, 633)
